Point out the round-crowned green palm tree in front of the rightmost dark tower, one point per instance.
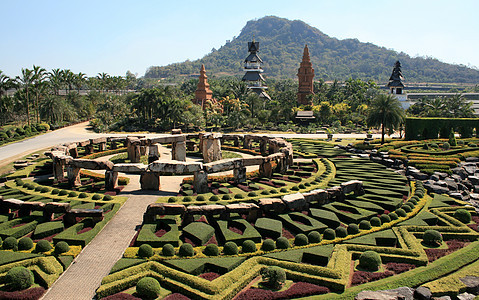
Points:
(385, 111)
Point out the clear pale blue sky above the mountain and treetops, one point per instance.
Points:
(116, 36)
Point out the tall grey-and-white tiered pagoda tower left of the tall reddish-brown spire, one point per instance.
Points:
(252, 67)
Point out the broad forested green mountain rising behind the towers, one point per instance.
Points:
(281, 48)
